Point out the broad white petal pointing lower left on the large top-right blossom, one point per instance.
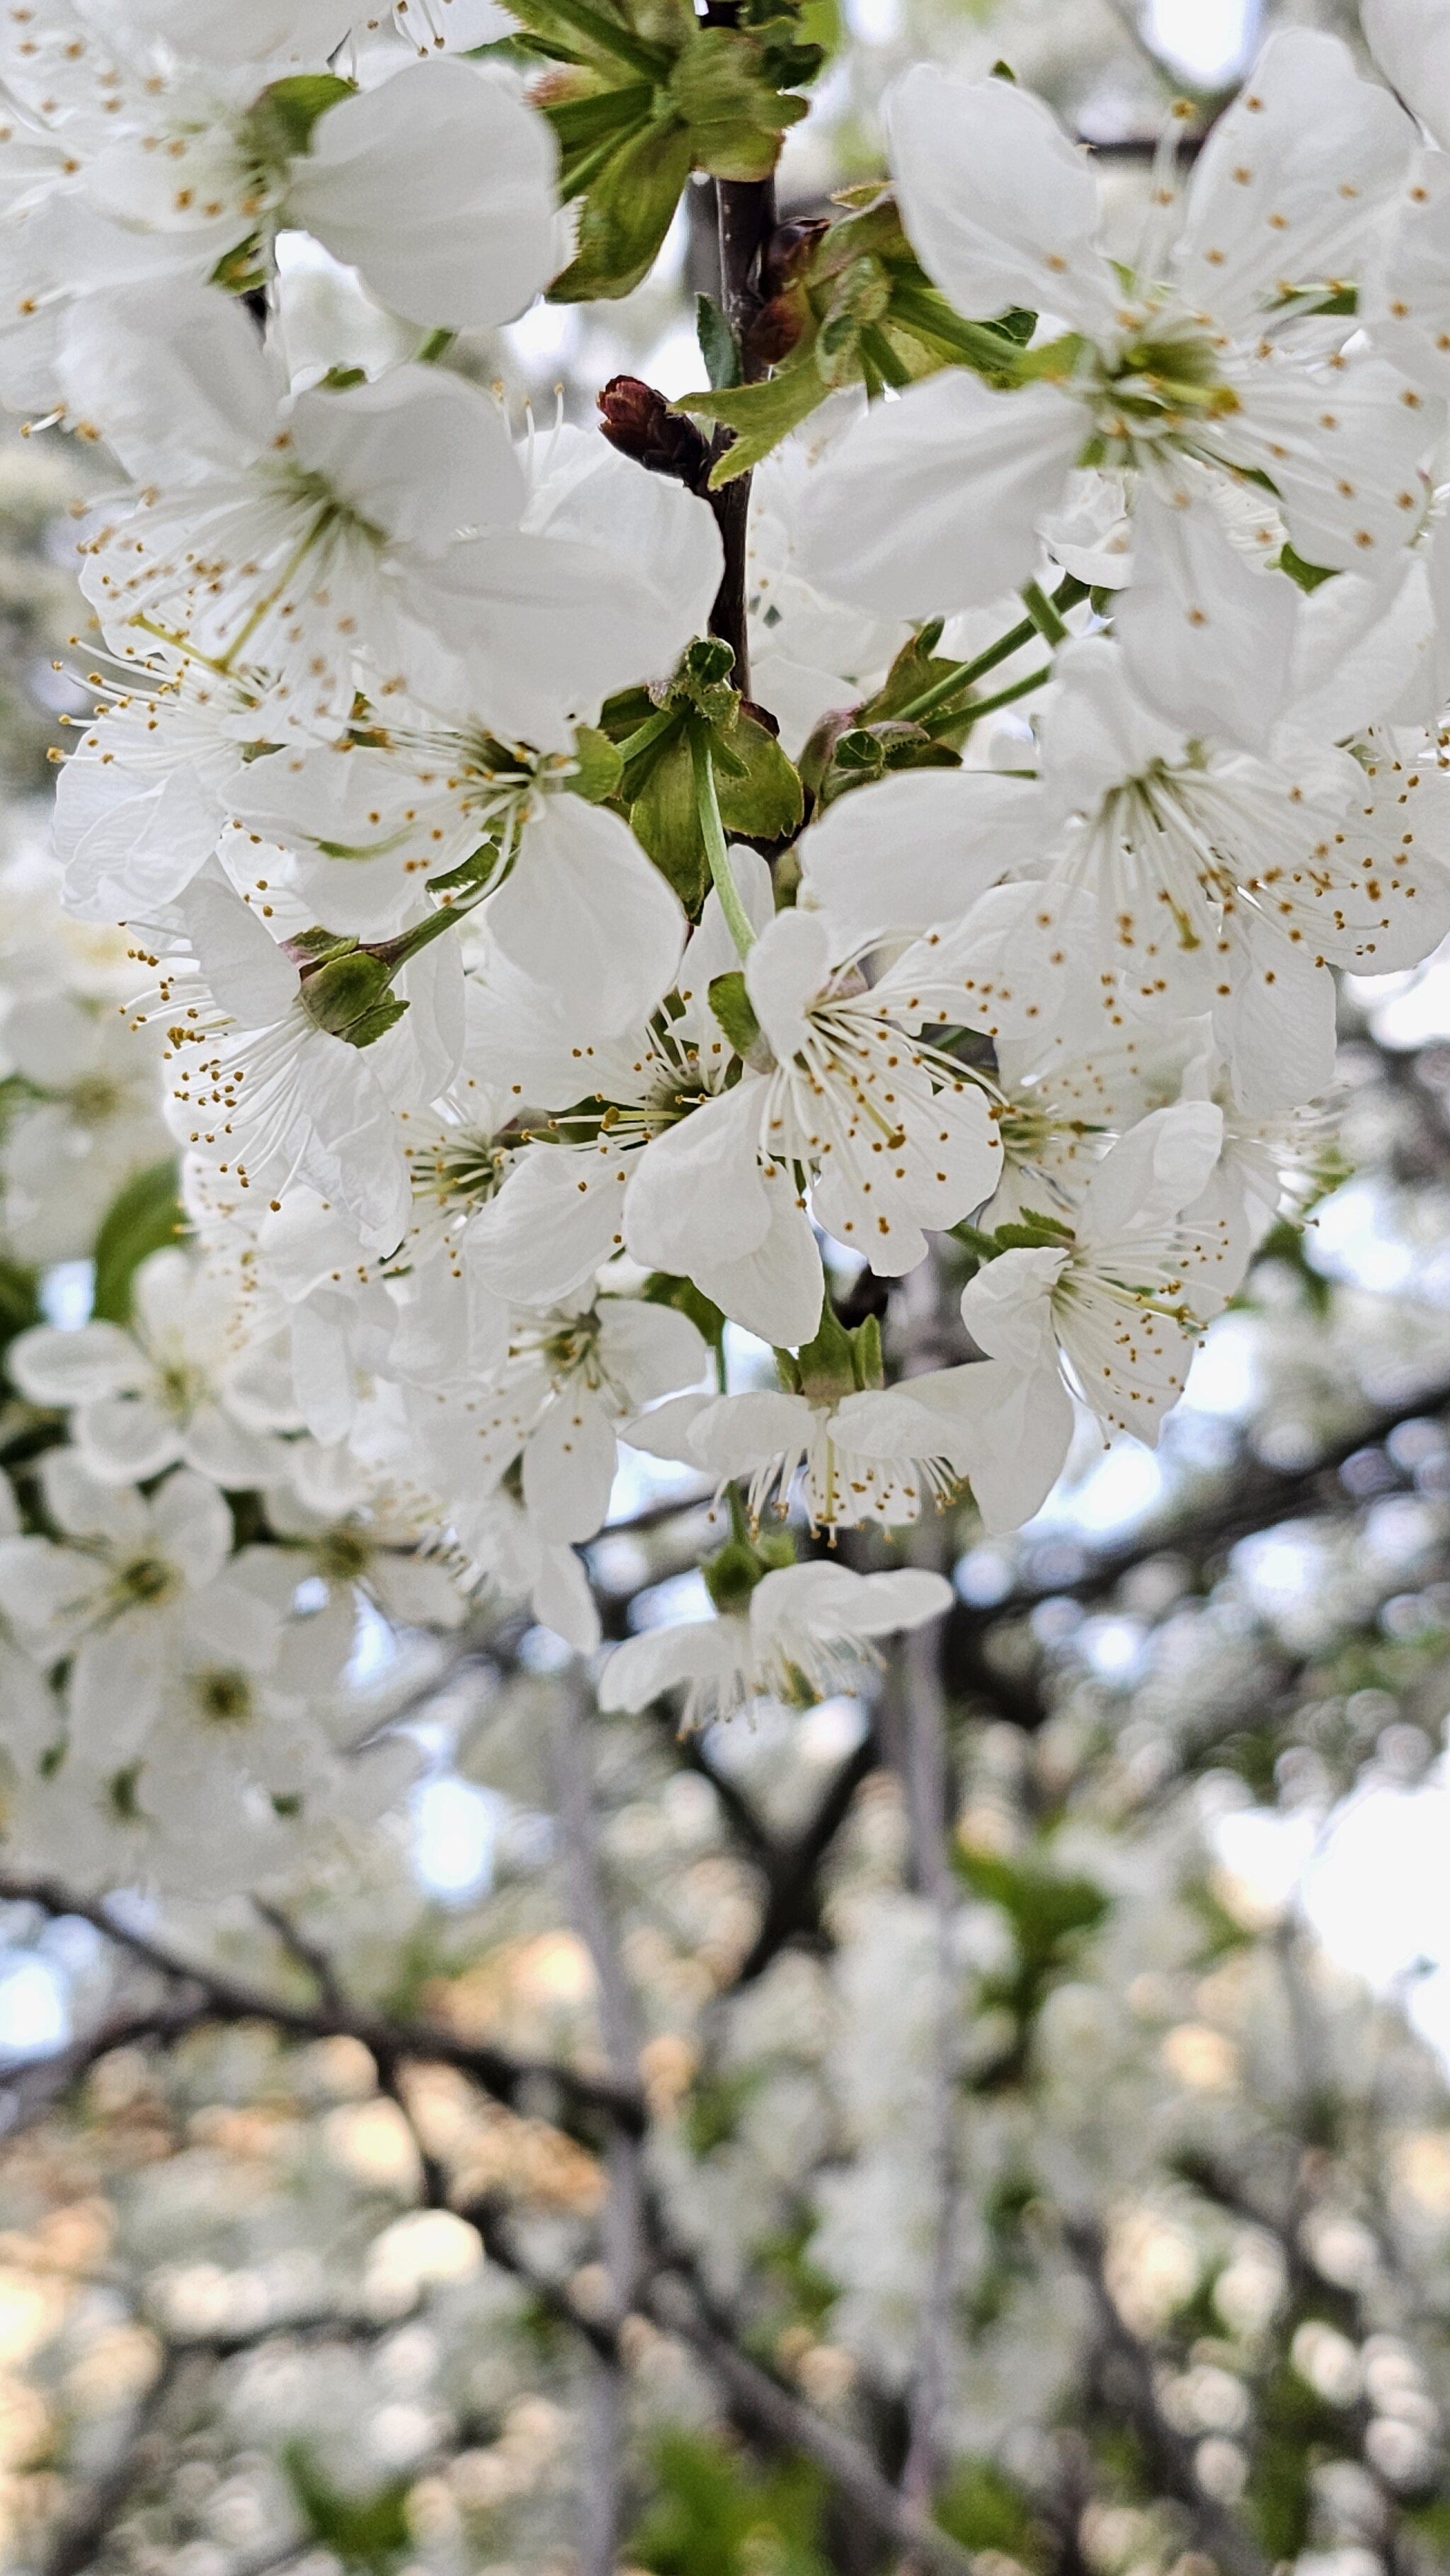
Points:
(931, 504)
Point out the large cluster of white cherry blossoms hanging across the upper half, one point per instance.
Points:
(542, 1019)
